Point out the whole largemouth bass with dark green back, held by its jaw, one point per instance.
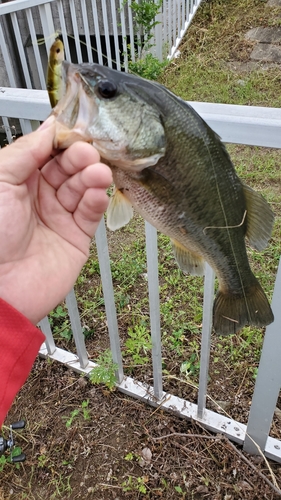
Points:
(172, 168)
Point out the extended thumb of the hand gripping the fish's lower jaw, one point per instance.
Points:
(28, 153)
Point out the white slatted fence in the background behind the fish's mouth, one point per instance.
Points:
(102, 31)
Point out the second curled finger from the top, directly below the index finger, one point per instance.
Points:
(73, 189)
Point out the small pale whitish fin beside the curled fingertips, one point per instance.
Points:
(119, 212)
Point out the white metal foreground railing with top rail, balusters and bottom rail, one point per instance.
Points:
(260, 126)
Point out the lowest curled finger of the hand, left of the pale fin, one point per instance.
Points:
(90, 210)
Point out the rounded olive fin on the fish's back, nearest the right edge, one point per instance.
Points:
(260, 219)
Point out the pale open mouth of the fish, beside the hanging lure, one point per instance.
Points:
(75, 110)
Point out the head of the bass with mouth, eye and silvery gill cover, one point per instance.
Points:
(106, 108)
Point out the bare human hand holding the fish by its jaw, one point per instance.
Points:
(51, 203)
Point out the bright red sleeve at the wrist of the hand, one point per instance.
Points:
(20, 342)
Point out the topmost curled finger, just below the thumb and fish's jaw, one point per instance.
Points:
(67, 163)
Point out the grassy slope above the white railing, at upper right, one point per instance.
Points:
(215, 44)
